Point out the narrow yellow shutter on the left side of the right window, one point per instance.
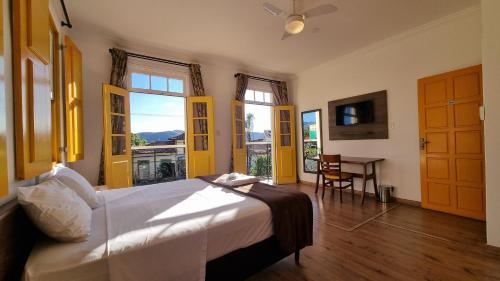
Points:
(239, 143)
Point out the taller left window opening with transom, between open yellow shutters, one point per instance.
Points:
(158, 120)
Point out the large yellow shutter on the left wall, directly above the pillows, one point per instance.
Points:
(31, 83)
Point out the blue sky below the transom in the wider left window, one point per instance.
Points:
(156, 113)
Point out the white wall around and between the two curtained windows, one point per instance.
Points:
(218, 78)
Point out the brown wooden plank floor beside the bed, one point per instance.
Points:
(388, 242)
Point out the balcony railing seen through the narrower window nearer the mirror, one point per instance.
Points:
(259, 160)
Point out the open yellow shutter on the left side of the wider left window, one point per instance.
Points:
(117, 139)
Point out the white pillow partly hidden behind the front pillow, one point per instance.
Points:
(77, 183)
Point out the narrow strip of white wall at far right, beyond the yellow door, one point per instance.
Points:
(491, 91)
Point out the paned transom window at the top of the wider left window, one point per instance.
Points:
(156, 84)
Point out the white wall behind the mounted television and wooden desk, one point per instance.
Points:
(395, 65)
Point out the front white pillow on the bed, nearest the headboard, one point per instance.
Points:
(56, 210)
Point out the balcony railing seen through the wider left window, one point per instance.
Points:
(162, 163)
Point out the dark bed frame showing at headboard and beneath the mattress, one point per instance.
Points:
(18, 236)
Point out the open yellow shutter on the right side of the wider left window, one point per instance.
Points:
(200, 136)
